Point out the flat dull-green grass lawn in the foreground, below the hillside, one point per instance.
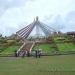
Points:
(46, 65)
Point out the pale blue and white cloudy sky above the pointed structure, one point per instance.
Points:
(15, 14)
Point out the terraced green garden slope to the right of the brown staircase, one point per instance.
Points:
(60, 44)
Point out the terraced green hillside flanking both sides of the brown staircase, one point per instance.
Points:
(60, 44)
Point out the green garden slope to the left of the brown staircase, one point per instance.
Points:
(8, 47)
